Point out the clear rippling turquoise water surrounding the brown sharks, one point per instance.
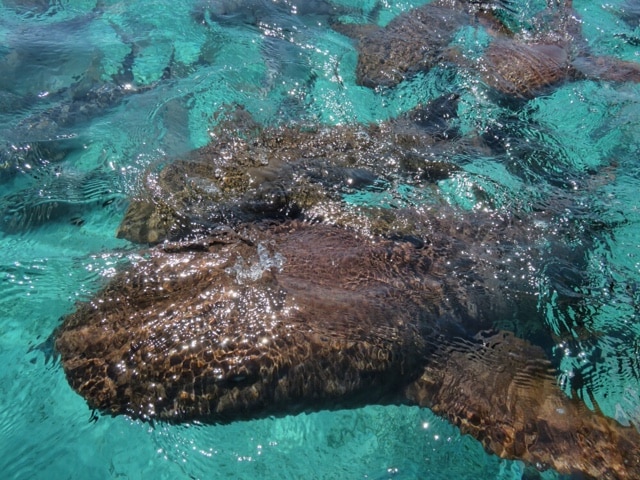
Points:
(583, 138)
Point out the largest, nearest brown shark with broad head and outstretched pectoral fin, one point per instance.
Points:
(278, 319)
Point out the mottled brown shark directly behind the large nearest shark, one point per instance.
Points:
(249, 172)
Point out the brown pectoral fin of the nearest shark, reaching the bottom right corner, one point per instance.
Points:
(502, 391)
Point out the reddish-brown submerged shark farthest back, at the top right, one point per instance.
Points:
(516, 64)
